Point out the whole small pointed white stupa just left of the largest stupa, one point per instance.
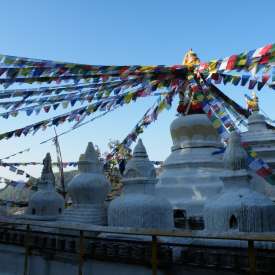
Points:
(136, 206)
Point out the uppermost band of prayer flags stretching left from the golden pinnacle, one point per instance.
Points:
(26, 70)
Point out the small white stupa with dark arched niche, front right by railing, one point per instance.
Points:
(238, 207)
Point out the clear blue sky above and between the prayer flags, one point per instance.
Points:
(102, 32)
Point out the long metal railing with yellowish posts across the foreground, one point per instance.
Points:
(81, 231)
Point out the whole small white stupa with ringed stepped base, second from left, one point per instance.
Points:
(88, 191)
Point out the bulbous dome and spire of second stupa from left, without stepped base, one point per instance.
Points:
(90, 186)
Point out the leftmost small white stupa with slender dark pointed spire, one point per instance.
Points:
(46, 203)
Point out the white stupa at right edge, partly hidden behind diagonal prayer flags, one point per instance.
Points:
(262, 140)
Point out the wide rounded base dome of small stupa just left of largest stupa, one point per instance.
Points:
(140, 211)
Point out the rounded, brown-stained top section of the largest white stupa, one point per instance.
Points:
(193, 130)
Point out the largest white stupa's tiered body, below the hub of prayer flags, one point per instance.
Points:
(191, 174)
